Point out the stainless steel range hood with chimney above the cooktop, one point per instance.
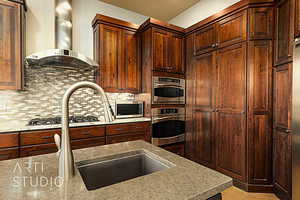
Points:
(62, 56)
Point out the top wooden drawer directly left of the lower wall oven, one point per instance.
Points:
(127, 128)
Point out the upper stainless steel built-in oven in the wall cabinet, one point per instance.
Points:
(167, 90)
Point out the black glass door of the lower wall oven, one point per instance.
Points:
(168, 128)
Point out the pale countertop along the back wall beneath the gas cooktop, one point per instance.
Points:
(15, 126)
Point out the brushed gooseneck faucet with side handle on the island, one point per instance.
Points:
(65, 154)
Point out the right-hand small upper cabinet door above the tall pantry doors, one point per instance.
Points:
(232, 29)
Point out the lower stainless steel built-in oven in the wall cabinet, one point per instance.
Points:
(168, 125)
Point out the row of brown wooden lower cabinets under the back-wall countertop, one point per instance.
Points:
(35, 143)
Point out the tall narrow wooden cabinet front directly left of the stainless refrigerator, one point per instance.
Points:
(282, 145)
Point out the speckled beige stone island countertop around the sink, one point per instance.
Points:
(33, 178)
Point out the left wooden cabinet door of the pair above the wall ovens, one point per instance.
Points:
(160, 50)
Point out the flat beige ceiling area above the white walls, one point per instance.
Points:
(163, 10)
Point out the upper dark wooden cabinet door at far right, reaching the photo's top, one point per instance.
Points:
(283, 32)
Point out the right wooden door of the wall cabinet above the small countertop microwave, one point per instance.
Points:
(129, 70)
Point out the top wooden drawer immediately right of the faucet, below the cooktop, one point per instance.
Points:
(87, 132)
